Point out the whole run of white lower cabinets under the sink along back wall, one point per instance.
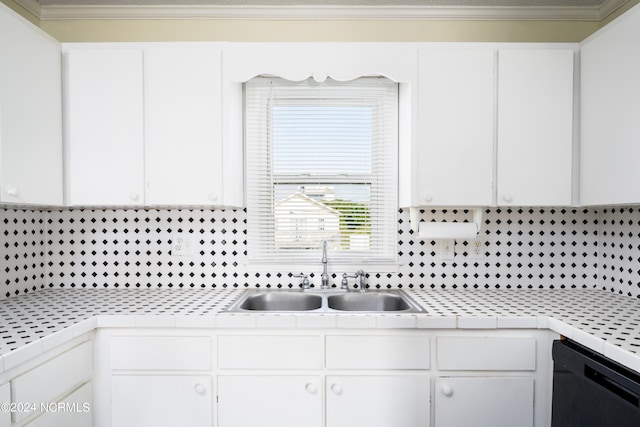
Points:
(324, 378)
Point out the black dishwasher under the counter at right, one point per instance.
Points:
(590, 390)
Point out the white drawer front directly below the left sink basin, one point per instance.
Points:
(270, 352)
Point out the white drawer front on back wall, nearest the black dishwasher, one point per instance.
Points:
(486, 354)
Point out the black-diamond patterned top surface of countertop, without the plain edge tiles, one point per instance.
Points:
(602, 315)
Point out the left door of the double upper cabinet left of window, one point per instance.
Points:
(105, 127)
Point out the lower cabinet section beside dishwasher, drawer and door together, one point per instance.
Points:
(487, 381)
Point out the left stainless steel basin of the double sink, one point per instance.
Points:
(280, 301)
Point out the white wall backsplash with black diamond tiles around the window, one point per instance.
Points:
(529, 248)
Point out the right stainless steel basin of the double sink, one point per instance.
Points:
(368, 301)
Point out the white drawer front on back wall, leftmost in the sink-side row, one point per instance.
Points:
(161, 353)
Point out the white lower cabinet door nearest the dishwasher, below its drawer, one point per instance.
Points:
(484, 402)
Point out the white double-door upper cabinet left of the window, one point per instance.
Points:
(145, 127)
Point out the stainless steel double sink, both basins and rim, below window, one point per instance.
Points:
(311, 301)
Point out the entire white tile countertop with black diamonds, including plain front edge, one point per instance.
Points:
(34, 323)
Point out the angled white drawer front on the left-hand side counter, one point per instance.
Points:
(50, 381)
